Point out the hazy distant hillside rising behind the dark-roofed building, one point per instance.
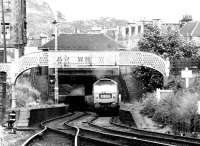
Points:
(40, 16)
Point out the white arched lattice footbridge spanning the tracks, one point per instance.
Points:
(82, 59)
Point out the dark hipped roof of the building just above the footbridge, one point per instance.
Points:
(83, 42)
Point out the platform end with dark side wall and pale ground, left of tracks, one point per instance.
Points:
(26, 119)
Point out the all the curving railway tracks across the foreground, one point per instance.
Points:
(79, 128)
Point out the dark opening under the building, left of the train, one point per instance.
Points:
(77, 84)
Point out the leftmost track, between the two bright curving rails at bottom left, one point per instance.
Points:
(54, 132)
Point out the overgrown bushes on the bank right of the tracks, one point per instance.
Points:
(177, 111)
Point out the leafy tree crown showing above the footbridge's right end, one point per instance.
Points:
(168, 43)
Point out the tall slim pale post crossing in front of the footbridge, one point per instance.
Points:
(56, 88)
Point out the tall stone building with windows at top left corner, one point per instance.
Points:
(15, 28)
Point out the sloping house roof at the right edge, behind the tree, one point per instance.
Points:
(191, 29)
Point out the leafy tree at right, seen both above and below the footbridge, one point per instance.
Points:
(168, 43)
